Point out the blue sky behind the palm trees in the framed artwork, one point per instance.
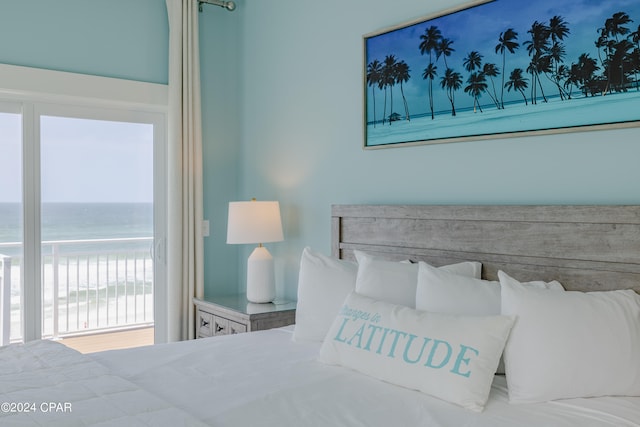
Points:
(478, 29)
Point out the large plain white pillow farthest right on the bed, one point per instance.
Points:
(571, 344)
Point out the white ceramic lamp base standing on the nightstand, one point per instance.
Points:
(261, 283)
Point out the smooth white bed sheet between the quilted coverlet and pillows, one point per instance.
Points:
(266, 379)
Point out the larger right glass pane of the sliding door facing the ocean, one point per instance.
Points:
(96, 224)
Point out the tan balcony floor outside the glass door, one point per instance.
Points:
(110, 340)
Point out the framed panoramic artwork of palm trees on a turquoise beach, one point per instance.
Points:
(503, 68)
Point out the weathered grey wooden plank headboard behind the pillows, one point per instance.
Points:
(586, 248)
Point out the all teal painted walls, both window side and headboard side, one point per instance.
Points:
(282, 99)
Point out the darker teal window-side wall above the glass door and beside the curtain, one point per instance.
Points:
(129, 39)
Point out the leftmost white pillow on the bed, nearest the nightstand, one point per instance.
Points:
(323, 284)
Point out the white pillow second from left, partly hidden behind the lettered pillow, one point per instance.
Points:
(395, 282)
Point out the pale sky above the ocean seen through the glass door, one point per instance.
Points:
(81, 160)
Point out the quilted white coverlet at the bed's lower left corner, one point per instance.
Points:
(44, 383)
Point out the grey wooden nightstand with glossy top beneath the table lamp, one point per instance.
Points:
(234, 314)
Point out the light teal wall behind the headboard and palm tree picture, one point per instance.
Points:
(302, 134)
